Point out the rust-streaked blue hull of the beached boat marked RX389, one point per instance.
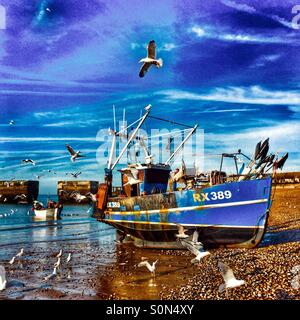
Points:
(230, 214)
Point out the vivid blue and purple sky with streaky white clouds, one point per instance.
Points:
(231, 66)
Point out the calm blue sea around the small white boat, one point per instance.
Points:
(19, 227)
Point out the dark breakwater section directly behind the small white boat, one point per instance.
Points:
(77, 191)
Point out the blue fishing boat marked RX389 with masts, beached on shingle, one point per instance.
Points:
(226, 211)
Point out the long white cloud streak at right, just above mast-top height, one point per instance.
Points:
(250, 95)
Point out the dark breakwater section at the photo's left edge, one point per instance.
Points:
(18, 191)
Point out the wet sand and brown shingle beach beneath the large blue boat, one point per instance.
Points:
(107, 270)
